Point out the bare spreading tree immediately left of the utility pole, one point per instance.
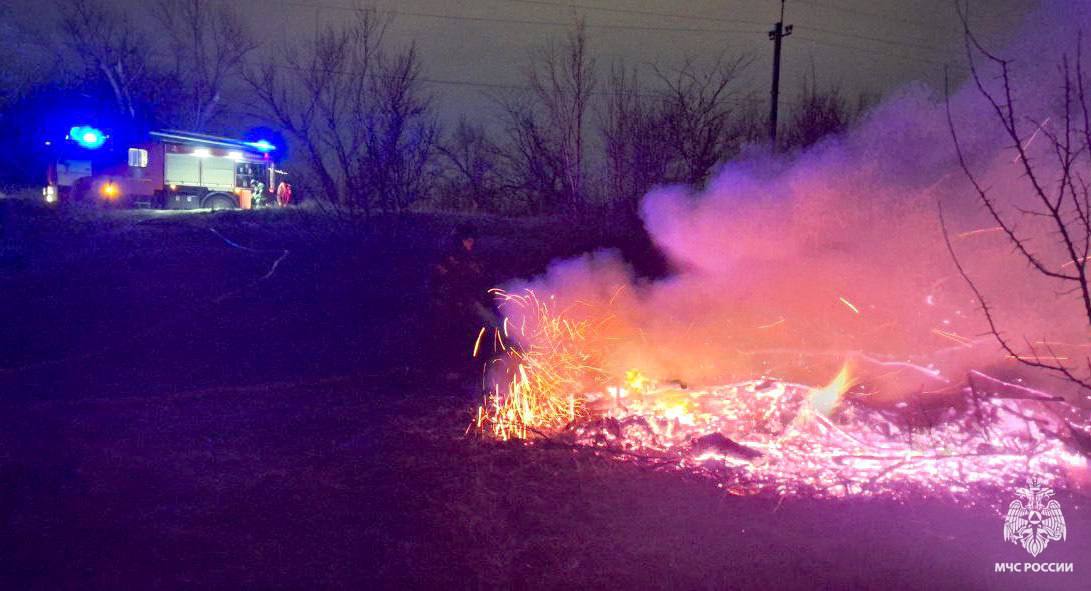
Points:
(699, 111)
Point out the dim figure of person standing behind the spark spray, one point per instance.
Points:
(460, 300)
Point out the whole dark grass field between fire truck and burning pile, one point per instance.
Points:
(177, 414)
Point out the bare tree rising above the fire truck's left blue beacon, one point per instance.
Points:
(111, 47)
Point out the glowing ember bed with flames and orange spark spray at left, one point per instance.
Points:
(771, 436)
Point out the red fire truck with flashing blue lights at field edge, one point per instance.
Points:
(163, 170)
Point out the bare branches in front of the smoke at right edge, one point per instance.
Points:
(1058, 191)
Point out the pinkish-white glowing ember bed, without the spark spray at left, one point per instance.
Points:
(769, 436)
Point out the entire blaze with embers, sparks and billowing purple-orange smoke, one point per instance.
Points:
(857, 320)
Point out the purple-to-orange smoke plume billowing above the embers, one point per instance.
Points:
(788, 266)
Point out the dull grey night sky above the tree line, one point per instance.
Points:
(475, 49)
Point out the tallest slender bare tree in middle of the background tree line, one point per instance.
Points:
(547, 131)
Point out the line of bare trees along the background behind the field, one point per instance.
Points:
(364, 132)
